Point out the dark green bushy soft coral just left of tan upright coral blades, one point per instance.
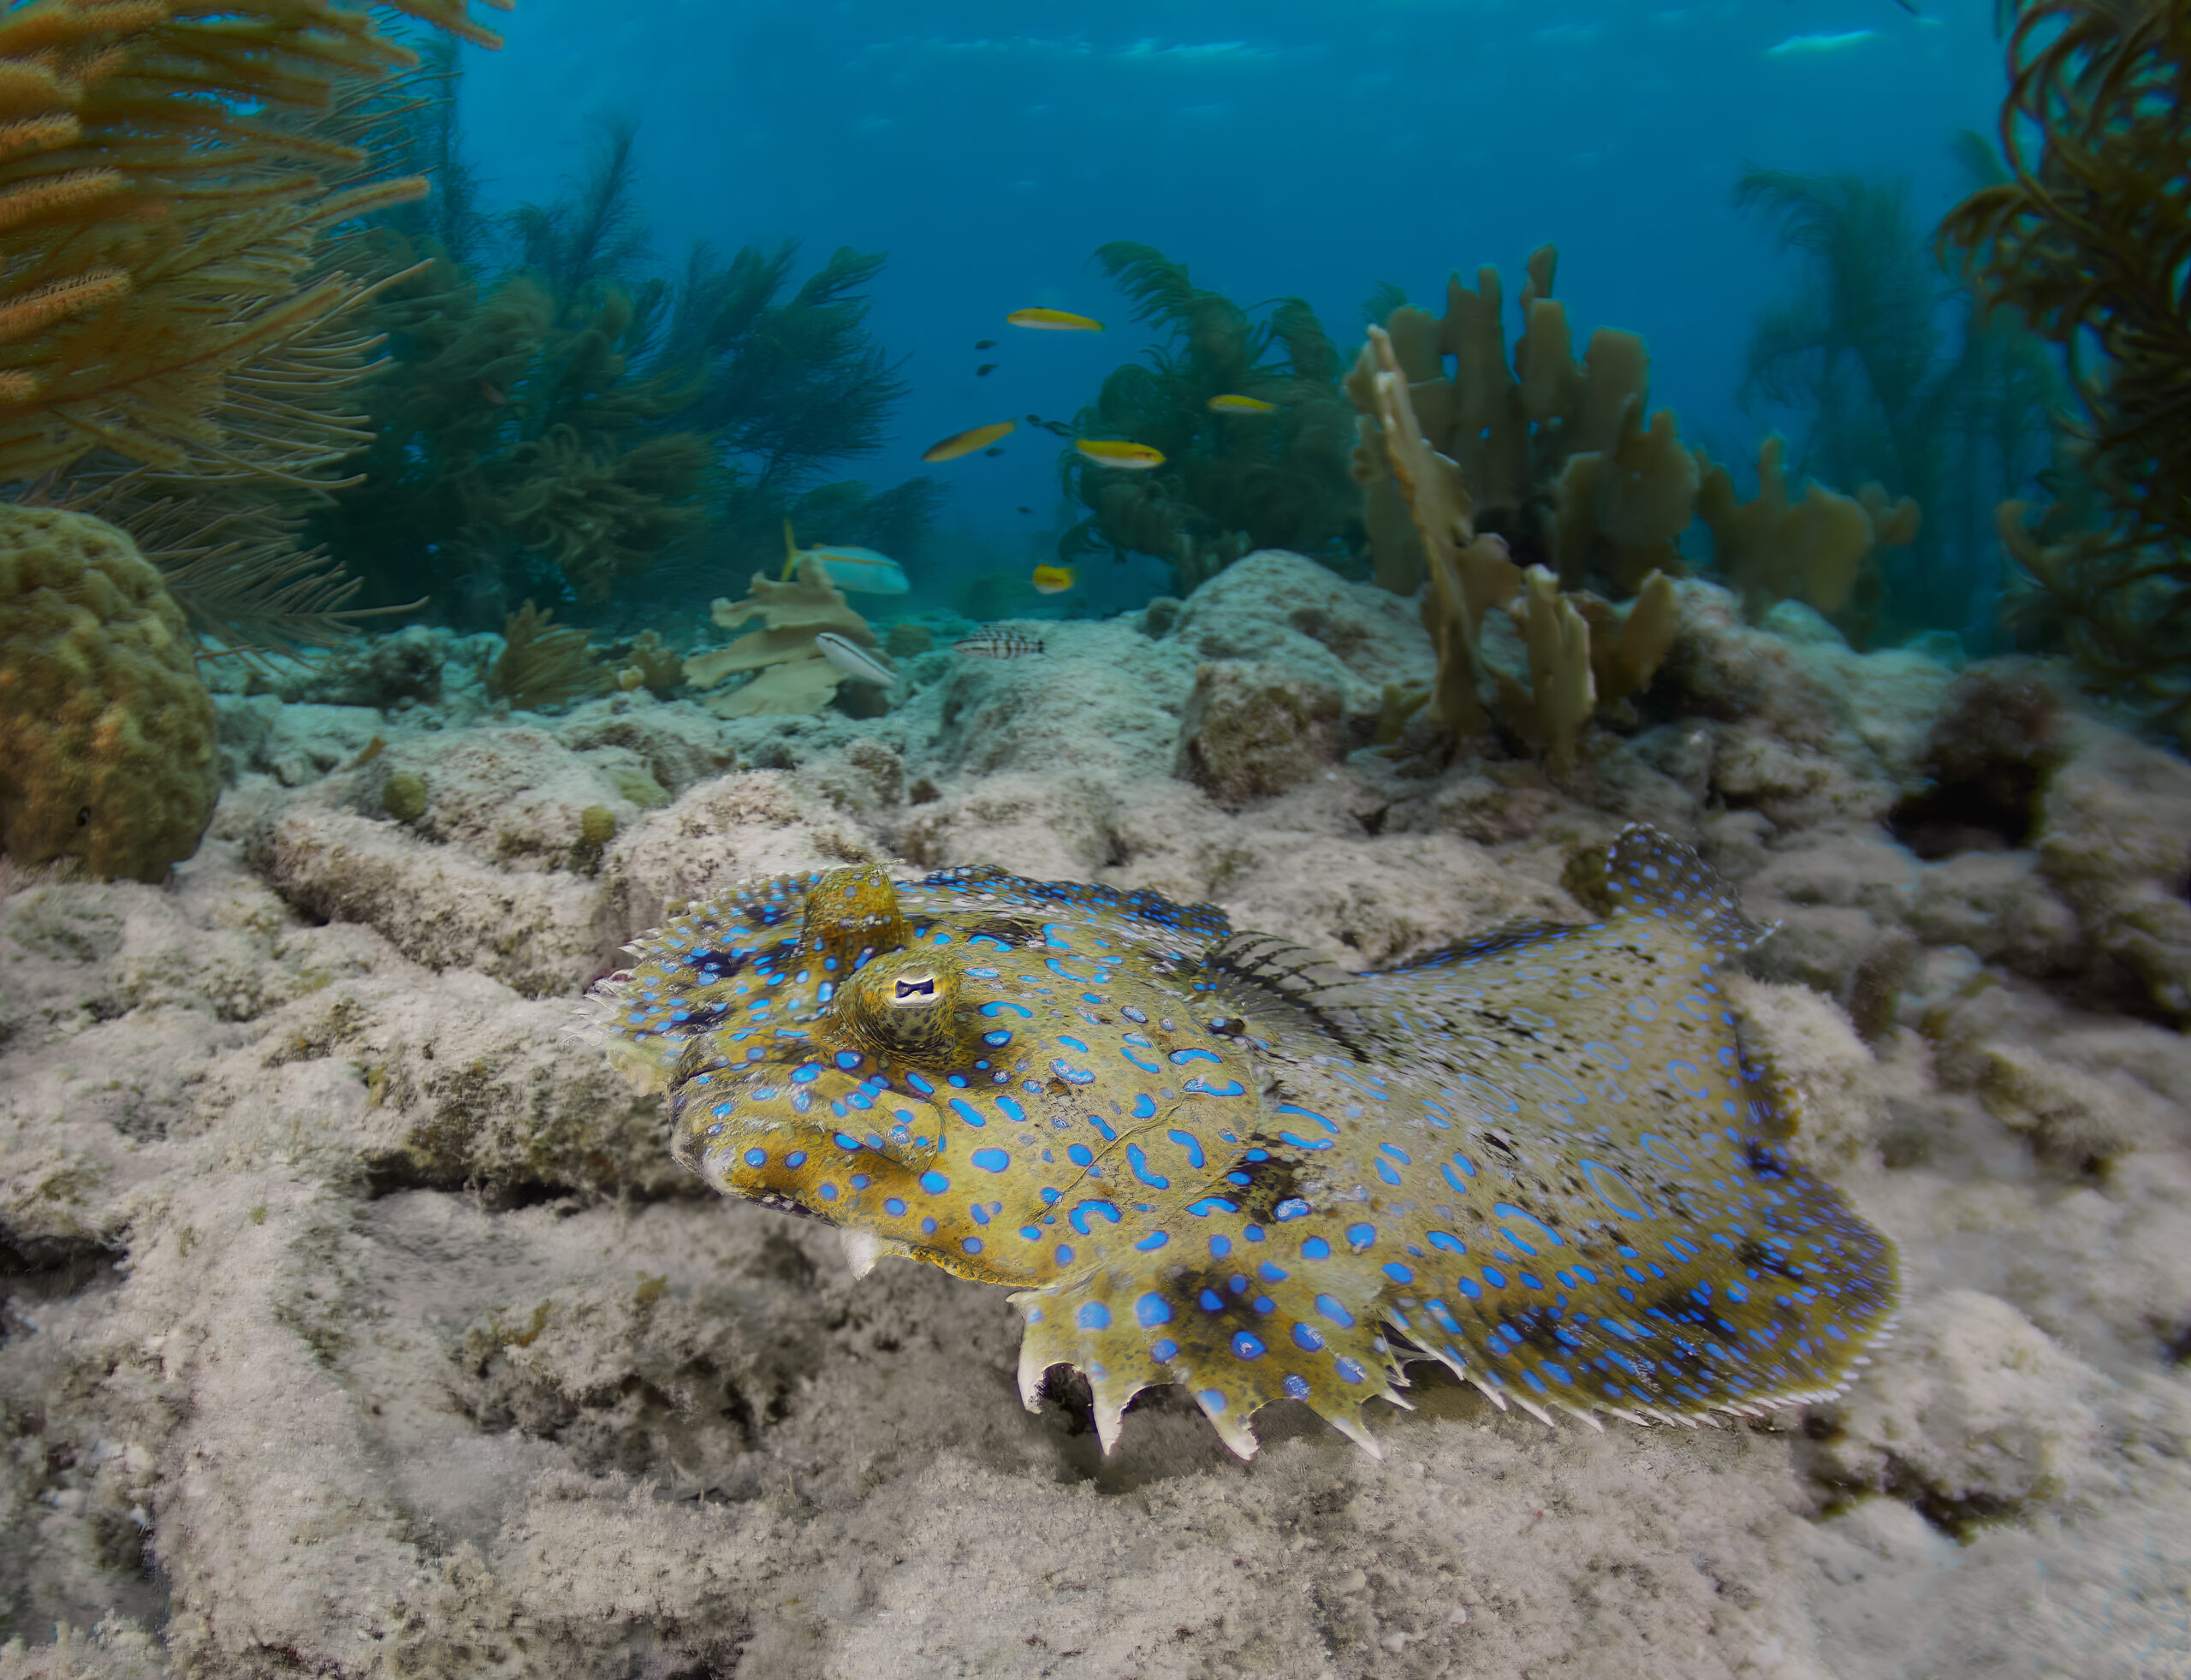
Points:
(1230, 483)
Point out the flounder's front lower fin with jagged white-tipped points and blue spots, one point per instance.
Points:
(1237, 1333)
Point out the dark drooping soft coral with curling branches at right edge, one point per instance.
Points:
(2085, 242)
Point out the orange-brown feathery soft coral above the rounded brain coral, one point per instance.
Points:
(181, 292)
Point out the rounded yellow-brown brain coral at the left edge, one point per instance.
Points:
(106, 735)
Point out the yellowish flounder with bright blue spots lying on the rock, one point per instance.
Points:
(1541, 1158)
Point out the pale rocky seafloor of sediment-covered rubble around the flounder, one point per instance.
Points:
(358, 1322)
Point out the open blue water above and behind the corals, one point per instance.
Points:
(1276, 148)
